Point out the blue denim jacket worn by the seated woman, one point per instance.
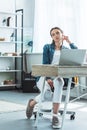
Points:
(48, 52)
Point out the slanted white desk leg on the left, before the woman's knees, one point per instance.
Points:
(39, 103)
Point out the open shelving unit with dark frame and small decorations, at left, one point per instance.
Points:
(11, 49)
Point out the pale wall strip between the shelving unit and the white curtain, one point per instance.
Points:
(28, 19)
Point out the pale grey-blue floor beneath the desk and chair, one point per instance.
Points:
(17, 120)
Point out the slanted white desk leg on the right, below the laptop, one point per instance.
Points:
(66, 101)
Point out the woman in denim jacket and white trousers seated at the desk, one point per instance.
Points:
(51, 55)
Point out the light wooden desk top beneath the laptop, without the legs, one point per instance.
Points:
(62, 71)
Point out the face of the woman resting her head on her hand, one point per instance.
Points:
(57, 35)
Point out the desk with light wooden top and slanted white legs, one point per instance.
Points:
(62, 71)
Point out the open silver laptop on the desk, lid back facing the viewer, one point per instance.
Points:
(72, 57)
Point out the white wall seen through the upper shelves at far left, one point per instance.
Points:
(6, 6)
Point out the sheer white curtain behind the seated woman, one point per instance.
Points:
(69, 15)
